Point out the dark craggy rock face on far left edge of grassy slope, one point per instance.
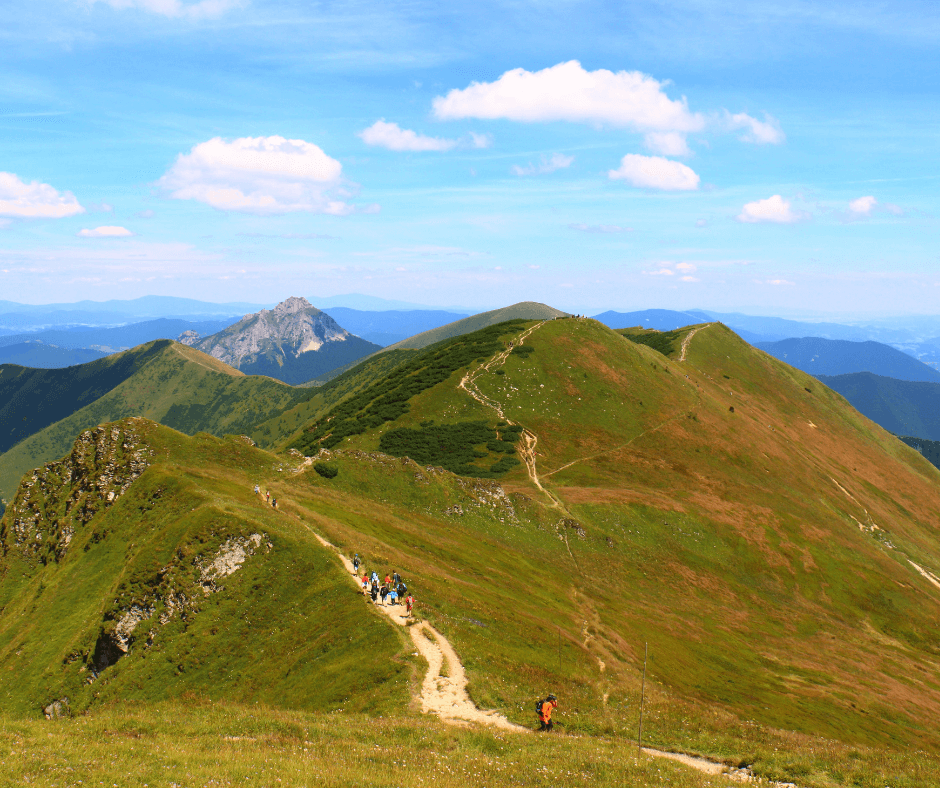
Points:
(54, 501)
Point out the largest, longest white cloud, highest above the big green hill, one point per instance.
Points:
(567, 92)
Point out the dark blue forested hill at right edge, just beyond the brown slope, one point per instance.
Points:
(903, 407)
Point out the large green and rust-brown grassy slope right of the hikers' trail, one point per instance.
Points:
(722, 508)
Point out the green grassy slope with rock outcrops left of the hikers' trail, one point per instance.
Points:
(187, 583)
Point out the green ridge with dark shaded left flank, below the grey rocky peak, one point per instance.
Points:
(163, 380)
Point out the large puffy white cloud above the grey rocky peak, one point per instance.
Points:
(262, 175)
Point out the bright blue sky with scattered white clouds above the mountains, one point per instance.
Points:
(768, 157)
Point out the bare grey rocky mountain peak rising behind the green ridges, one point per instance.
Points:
(293, 342)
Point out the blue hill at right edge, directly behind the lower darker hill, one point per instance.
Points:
(819, 356)
